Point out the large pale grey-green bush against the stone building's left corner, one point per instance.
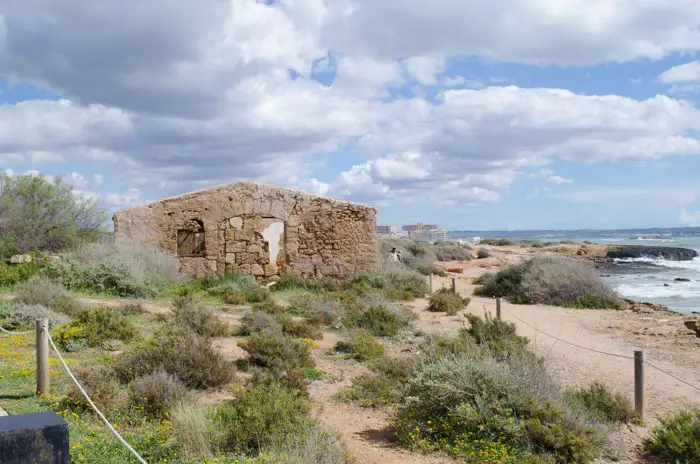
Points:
(121, 269)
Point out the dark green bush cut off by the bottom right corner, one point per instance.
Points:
(676, 439)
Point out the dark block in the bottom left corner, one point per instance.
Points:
(38, 438)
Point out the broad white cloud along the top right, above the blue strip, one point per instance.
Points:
(544, 31)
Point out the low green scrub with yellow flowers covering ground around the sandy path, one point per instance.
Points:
(482, 396)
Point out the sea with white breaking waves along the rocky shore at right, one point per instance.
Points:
(644, 279)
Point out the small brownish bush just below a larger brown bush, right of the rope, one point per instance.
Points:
(157, 393)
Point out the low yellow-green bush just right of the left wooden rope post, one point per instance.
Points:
(93, 328)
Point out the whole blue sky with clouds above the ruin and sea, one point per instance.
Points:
(472, 114)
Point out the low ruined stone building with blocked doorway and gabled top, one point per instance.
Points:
(257, 229)
